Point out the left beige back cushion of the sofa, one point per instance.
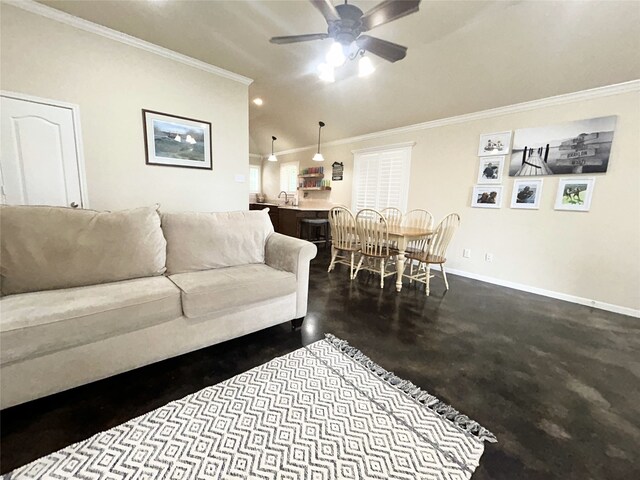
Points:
(46, 248)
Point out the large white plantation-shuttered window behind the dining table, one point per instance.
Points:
(381, 177)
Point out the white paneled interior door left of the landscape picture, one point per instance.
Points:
(39, 154)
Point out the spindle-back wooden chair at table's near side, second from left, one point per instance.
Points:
(373, 235)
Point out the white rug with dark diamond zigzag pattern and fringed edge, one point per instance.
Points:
(325, 411)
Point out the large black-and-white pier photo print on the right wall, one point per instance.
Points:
(583, 146)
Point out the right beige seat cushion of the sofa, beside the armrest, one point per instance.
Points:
(219, 289)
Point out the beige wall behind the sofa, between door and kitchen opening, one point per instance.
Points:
(112, 83)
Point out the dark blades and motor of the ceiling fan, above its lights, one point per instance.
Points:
(347, 22)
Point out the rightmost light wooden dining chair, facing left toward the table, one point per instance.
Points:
(435, 253)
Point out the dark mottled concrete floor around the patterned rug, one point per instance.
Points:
(558, 383)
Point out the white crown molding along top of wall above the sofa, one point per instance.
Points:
(62, 17)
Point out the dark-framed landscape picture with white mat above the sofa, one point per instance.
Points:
(174, 141)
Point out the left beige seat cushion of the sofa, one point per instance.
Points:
(38, 323)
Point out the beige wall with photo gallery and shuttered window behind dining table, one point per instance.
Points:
(594, 255)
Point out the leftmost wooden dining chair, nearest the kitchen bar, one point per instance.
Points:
(344, 240)
